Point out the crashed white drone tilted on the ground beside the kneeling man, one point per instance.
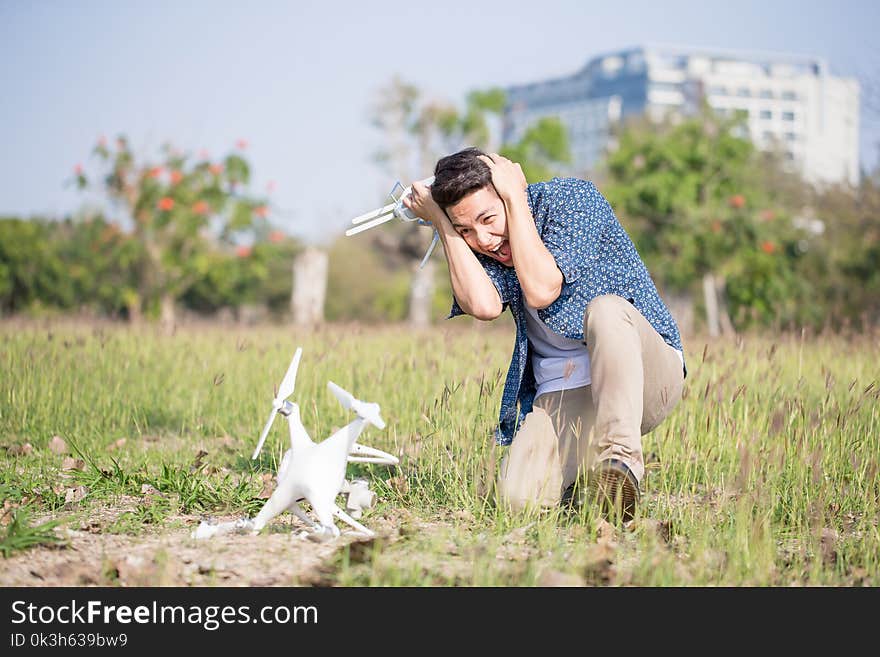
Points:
(314, 472)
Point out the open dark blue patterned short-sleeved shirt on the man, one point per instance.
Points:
(596, 257)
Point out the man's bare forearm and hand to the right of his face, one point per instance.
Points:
(537, 271)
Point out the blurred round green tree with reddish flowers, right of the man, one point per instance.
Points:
(696, 196)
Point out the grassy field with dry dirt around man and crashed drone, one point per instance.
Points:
(766, 474)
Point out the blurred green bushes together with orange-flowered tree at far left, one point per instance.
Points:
(179, 242)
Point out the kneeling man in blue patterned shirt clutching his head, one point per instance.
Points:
(598, 359)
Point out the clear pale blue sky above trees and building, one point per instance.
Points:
(297, 79)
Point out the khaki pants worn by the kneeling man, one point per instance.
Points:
(637, 380)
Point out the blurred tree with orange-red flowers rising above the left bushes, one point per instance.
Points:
(173, 206)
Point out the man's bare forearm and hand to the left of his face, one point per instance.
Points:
(473, 289)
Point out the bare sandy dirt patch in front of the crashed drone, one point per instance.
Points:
(91, 557)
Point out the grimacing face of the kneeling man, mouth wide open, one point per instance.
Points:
(481, 220)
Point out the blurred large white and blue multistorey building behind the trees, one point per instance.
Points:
(792, 102)
